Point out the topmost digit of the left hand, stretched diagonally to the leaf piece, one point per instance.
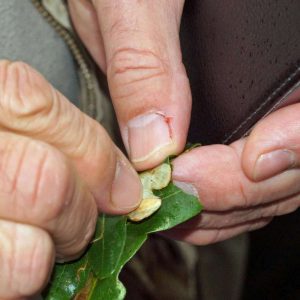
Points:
(30, 106)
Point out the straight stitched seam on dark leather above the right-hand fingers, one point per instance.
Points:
(262, 105)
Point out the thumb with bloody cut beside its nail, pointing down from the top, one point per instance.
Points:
(136, 43)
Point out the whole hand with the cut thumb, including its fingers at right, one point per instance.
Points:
(242, 186)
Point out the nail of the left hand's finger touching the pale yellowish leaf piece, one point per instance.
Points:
(126, 188)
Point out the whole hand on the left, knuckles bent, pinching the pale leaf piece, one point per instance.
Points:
(57, 166)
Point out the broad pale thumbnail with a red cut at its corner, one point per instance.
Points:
(147, 135)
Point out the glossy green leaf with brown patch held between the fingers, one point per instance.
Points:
(95, 275)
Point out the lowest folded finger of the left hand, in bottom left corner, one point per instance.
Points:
(25, 261)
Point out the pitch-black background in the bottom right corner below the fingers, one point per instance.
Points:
(274, 261)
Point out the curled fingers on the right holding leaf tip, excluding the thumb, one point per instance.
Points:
(244, 185)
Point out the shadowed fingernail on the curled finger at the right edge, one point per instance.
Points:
(273, 163)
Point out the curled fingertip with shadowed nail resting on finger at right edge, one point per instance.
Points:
(274, 144)
